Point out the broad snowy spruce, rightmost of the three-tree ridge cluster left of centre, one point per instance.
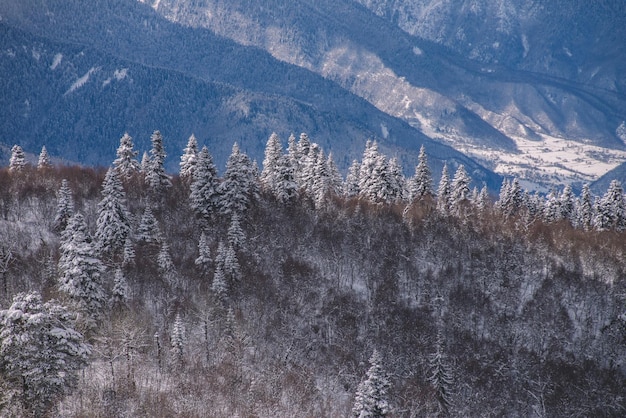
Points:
(239, 186)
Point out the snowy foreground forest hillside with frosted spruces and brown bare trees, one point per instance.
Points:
(290, 290)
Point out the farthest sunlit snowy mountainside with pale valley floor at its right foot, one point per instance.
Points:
(532, 89)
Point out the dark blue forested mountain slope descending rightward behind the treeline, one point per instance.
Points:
(76, 78)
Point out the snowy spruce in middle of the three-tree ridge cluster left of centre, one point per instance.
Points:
(204, 186)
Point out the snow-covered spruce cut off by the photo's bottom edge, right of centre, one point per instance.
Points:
(371, 395)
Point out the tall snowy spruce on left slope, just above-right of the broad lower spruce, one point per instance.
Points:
(113, 225)
